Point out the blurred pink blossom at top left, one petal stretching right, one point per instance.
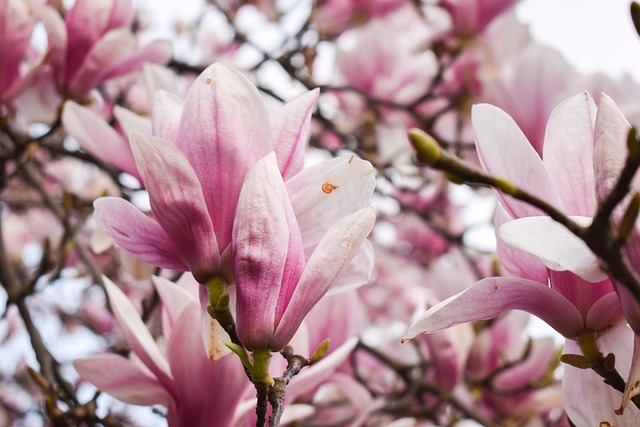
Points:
(95, 43)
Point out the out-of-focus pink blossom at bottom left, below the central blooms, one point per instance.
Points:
(178, 374)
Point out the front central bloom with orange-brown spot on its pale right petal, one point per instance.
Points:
(276, 283)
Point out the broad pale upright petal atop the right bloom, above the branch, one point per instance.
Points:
(570, 130)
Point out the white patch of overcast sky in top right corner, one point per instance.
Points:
(594, 35)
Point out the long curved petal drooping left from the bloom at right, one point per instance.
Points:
(492, 296)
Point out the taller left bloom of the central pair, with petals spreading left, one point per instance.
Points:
(194, 165)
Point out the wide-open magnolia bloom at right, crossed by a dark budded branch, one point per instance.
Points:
(551, 274)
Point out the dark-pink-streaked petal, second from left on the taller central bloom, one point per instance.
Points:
(177, 202)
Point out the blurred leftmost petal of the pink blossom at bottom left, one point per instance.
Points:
(122, 379)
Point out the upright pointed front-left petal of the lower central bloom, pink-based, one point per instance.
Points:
(269, 256)
